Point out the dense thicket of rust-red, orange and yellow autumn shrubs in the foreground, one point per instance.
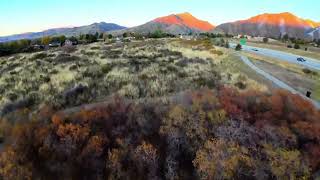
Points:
(202, 134)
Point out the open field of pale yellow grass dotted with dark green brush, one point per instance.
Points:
(136, 70)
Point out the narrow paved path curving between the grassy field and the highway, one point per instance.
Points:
(276, 81)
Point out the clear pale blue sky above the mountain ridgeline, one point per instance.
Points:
(19, 16)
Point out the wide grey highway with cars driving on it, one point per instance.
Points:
(292, 58)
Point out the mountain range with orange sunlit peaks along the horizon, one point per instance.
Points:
(266, 25)
